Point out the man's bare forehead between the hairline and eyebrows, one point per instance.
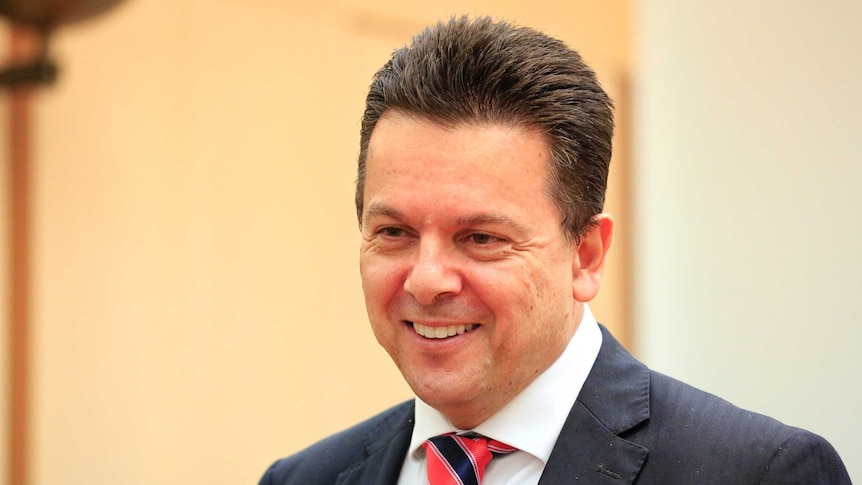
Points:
(416, 165)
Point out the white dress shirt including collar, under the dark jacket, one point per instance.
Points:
(531, 422)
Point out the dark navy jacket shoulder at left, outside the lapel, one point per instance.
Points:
(322, 462)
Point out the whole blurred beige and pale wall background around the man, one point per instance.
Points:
(195, 310)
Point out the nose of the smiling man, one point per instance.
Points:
(434, 274)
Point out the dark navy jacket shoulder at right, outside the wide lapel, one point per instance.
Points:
(700, 438)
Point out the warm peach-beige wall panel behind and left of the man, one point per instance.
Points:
(197, 308)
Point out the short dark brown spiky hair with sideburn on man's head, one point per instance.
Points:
(486, 71)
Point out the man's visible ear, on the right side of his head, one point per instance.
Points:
(588, 263)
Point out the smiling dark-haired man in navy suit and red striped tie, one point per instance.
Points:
(482, 169)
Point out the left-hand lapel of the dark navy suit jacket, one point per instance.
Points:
(385, 448)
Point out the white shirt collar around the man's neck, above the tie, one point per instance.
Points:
(532, 421)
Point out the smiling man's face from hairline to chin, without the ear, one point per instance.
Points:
(460, 239)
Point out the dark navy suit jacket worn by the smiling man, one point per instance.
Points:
(629, 425)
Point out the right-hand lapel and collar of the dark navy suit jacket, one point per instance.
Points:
(614, 399)
